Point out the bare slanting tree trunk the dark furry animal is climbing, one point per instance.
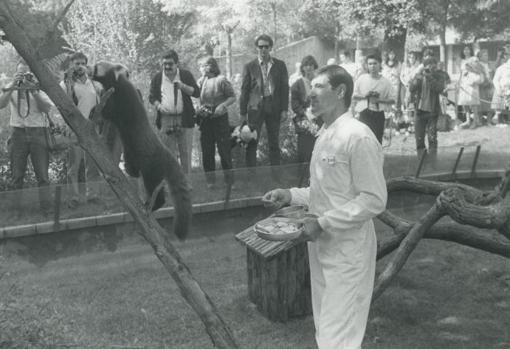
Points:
(150, 230)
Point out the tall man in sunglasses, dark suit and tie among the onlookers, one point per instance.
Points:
(264, 98)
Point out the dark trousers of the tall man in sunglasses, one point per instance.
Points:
(256, 118)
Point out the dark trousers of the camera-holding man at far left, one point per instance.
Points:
(25, 142)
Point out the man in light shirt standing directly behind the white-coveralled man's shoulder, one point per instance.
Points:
(374, 94)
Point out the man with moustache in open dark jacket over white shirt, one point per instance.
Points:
(170, 93)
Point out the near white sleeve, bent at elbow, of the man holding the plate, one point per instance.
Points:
(368, 182)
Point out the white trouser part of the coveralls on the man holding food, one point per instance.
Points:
(342, 291)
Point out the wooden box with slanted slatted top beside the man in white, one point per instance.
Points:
(278, 276)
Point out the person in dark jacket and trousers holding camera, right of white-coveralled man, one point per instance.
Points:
(426, 86)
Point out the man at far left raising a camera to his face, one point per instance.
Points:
(29, 123)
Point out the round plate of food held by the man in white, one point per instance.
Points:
(278, 229)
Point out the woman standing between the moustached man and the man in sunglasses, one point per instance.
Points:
(216, 94)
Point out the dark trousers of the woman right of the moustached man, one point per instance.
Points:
(215, 132)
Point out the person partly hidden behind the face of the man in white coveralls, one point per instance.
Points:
(305, 125)
